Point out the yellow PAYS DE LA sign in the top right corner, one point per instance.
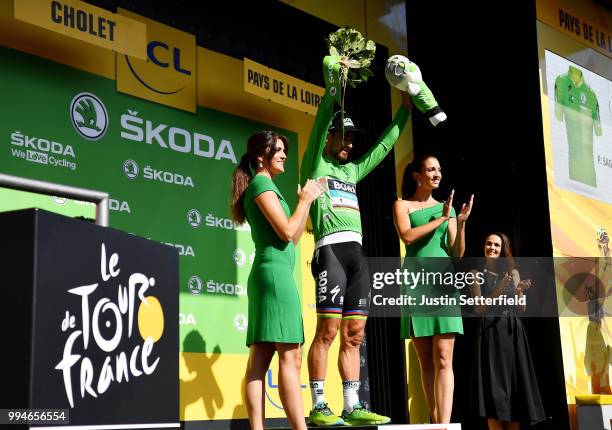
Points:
(582, 29)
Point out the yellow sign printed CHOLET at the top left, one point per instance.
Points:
(85, 22)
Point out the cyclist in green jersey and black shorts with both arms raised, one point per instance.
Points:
(338, 264)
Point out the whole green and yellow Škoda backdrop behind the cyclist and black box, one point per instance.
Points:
(162, 137)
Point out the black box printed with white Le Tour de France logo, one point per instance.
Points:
(89, 322)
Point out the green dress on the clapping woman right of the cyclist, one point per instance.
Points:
(430, 320)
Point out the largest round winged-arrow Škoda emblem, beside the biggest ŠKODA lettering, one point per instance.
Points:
(89, 116)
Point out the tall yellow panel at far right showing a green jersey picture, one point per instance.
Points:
(577, 121)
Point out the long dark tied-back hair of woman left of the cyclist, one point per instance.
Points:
(261, 143)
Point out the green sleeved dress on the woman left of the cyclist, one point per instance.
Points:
(275, 312)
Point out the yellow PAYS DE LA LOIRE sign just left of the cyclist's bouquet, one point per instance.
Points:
(281, 88)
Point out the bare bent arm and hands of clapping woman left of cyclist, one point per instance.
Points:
(289, 229)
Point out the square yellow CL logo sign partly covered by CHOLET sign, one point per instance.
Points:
(168, 75)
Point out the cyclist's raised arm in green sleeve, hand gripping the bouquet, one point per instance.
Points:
(318, 134)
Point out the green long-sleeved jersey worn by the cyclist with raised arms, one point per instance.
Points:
(338, 208)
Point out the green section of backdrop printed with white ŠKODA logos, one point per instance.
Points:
(144, 201)
